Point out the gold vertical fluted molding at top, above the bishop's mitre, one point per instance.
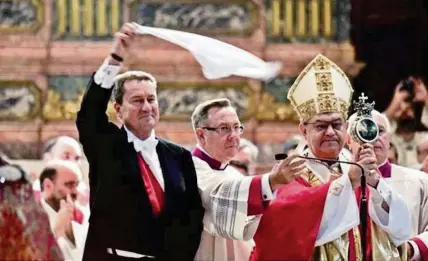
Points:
(308, 21)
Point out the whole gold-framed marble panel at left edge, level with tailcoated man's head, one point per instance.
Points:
(19, 100)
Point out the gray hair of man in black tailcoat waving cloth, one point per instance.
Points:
(120, 80)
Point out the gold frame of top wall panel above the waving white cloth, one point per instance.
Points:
(254, 15)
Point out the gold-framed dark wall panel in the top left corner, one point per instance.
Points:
(21, 15)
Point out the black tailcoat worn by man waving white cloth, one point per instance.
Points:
(121, 213)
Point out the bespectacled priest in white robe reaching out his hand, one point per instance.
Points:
(233, 202)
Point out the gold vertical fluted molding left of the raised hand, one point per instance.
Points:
(86, 19)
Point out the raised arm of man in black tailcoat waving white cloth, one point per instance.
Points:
(92, 122)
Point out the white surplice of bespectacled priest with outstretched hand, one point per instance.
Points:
(225, 198)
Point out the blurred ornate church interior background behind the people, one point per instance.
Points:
(49, 48)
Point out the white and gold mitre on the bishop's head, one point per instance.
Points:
(322, 87)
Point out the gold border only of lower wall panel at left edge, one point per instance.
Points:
(34, 89)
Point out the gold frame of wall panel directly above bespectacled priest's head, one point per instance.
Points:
(252, 109)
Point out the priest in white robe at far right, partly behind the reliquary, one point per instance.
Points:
(411, 184)
